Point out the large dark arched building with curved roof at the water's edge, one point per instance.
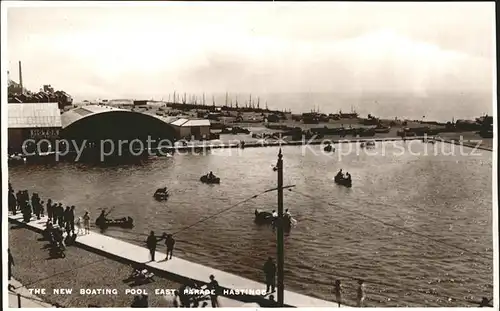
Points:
(96, 124)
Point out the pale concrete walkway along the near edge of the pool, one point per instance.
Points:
(176, 269)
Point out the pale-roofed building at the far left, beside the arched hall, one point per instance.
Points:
(36, 121)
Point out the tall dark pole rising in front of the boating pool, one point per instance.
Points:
(281, 253)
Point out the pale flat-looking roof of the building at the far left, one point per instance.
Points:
(33, 115)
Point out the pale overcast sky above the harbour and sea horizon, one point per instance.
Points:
(254, 47)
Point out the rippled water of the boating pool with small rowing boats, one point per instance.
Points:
(446, 197)
